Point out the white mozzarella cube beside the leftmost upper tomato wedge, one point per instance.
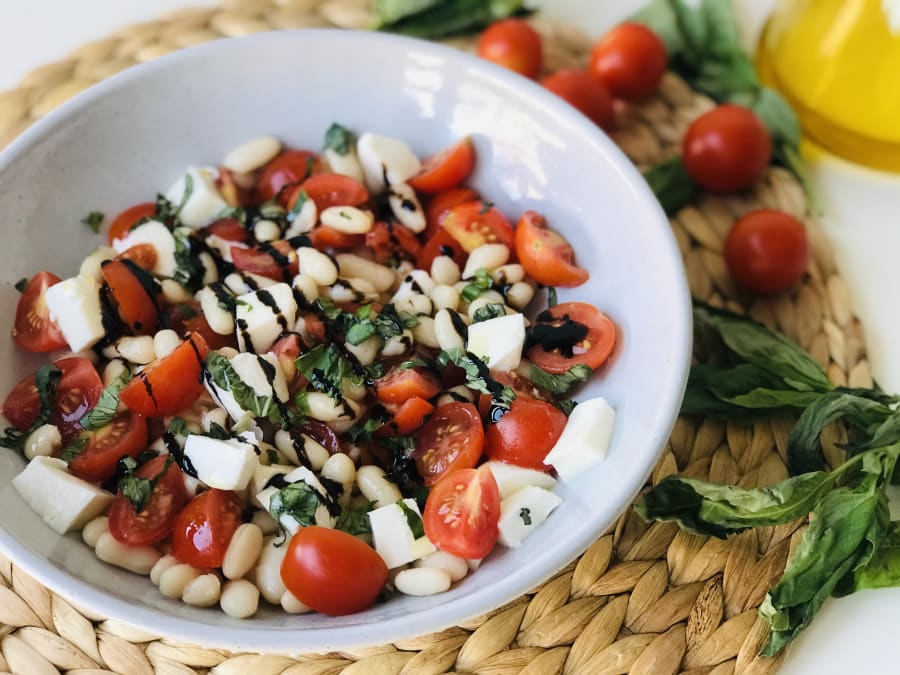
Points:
(74, 306)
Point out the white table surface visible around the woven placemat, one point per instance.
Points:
(855, 634)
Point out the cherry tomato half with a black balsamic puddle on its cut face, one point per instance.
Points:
(576, 333)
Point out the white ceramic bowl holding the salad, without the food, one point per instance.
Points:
(125, 139)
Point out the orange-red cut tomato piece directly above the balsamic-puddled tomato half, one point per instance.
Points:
(545, 254)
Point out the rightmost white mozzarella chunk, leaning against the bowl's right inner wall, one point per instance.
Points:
(585, 439)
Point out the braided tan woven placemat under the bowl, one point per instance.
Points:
(643, 598)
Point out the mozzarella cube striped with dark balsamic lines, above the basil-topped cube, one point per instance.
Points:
(261, 316)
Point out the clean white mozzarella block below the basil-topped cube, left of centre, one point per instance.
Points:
(227, 465)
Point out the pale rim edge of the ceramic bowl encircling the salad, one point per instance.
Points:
(323, 639)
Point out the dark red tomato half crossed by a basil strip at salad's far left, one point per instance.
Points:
(78, 391)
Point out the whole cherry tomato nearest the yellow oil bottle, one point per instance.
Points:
(727, 149)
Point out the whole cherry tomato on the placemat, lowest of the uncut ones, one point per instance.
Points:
(767, 251)
